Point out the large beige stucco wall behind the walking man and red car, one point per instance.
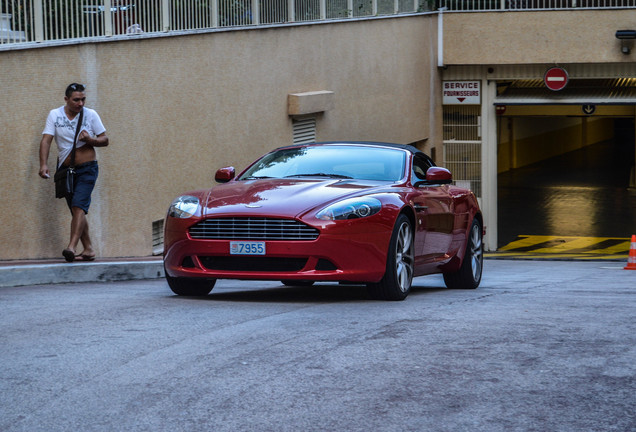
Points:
(178, 108)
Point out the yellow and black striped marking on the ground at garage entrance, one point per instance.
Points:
(564, 247)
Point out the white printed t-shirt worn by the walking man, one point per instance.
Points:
(63, 129)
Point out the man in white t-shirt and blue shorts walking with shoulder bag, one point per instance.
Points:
(61, 124)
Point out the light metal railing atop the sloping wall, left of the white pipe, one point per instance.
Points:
(52, 20)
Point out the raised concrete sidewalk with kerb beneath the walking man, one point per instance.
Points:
(36, 272)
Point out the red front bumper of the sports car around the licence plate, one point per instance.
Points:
(350, 255)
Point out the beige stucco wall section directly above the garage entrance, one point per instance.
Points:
(571, 36)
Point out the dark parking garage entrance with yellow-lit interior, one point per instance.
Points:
(566, 180)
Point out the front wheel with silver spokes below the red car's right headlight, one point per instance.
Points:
(397, 280)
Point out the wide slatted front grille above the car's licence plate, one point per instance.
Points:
(252, 229)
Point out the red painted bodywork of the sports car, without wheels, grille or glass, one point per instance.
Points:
(353, 250)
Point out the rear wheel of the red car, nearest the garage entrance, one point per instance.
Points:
(469, 274)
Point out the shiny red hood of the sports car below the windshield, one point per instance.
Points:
(280, 197)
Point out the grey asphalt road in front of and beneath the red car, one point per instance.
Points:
(540, 346)
